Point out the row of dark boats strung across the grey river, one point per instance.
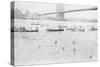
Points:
(59, 28)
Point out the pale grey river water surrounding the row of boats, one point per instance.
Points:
(54, 47)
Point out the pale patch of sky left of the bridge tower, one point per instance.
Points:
(35, 7)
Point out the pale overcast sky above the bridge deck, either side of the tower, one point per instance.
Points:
(43, 7)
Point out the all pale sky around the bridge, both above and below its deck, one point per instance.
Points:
(38, 7)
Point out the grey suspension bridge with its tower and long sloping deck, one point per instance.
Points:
(60, 11)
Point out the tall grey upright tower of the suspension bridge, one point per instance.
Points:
(59, 11)
